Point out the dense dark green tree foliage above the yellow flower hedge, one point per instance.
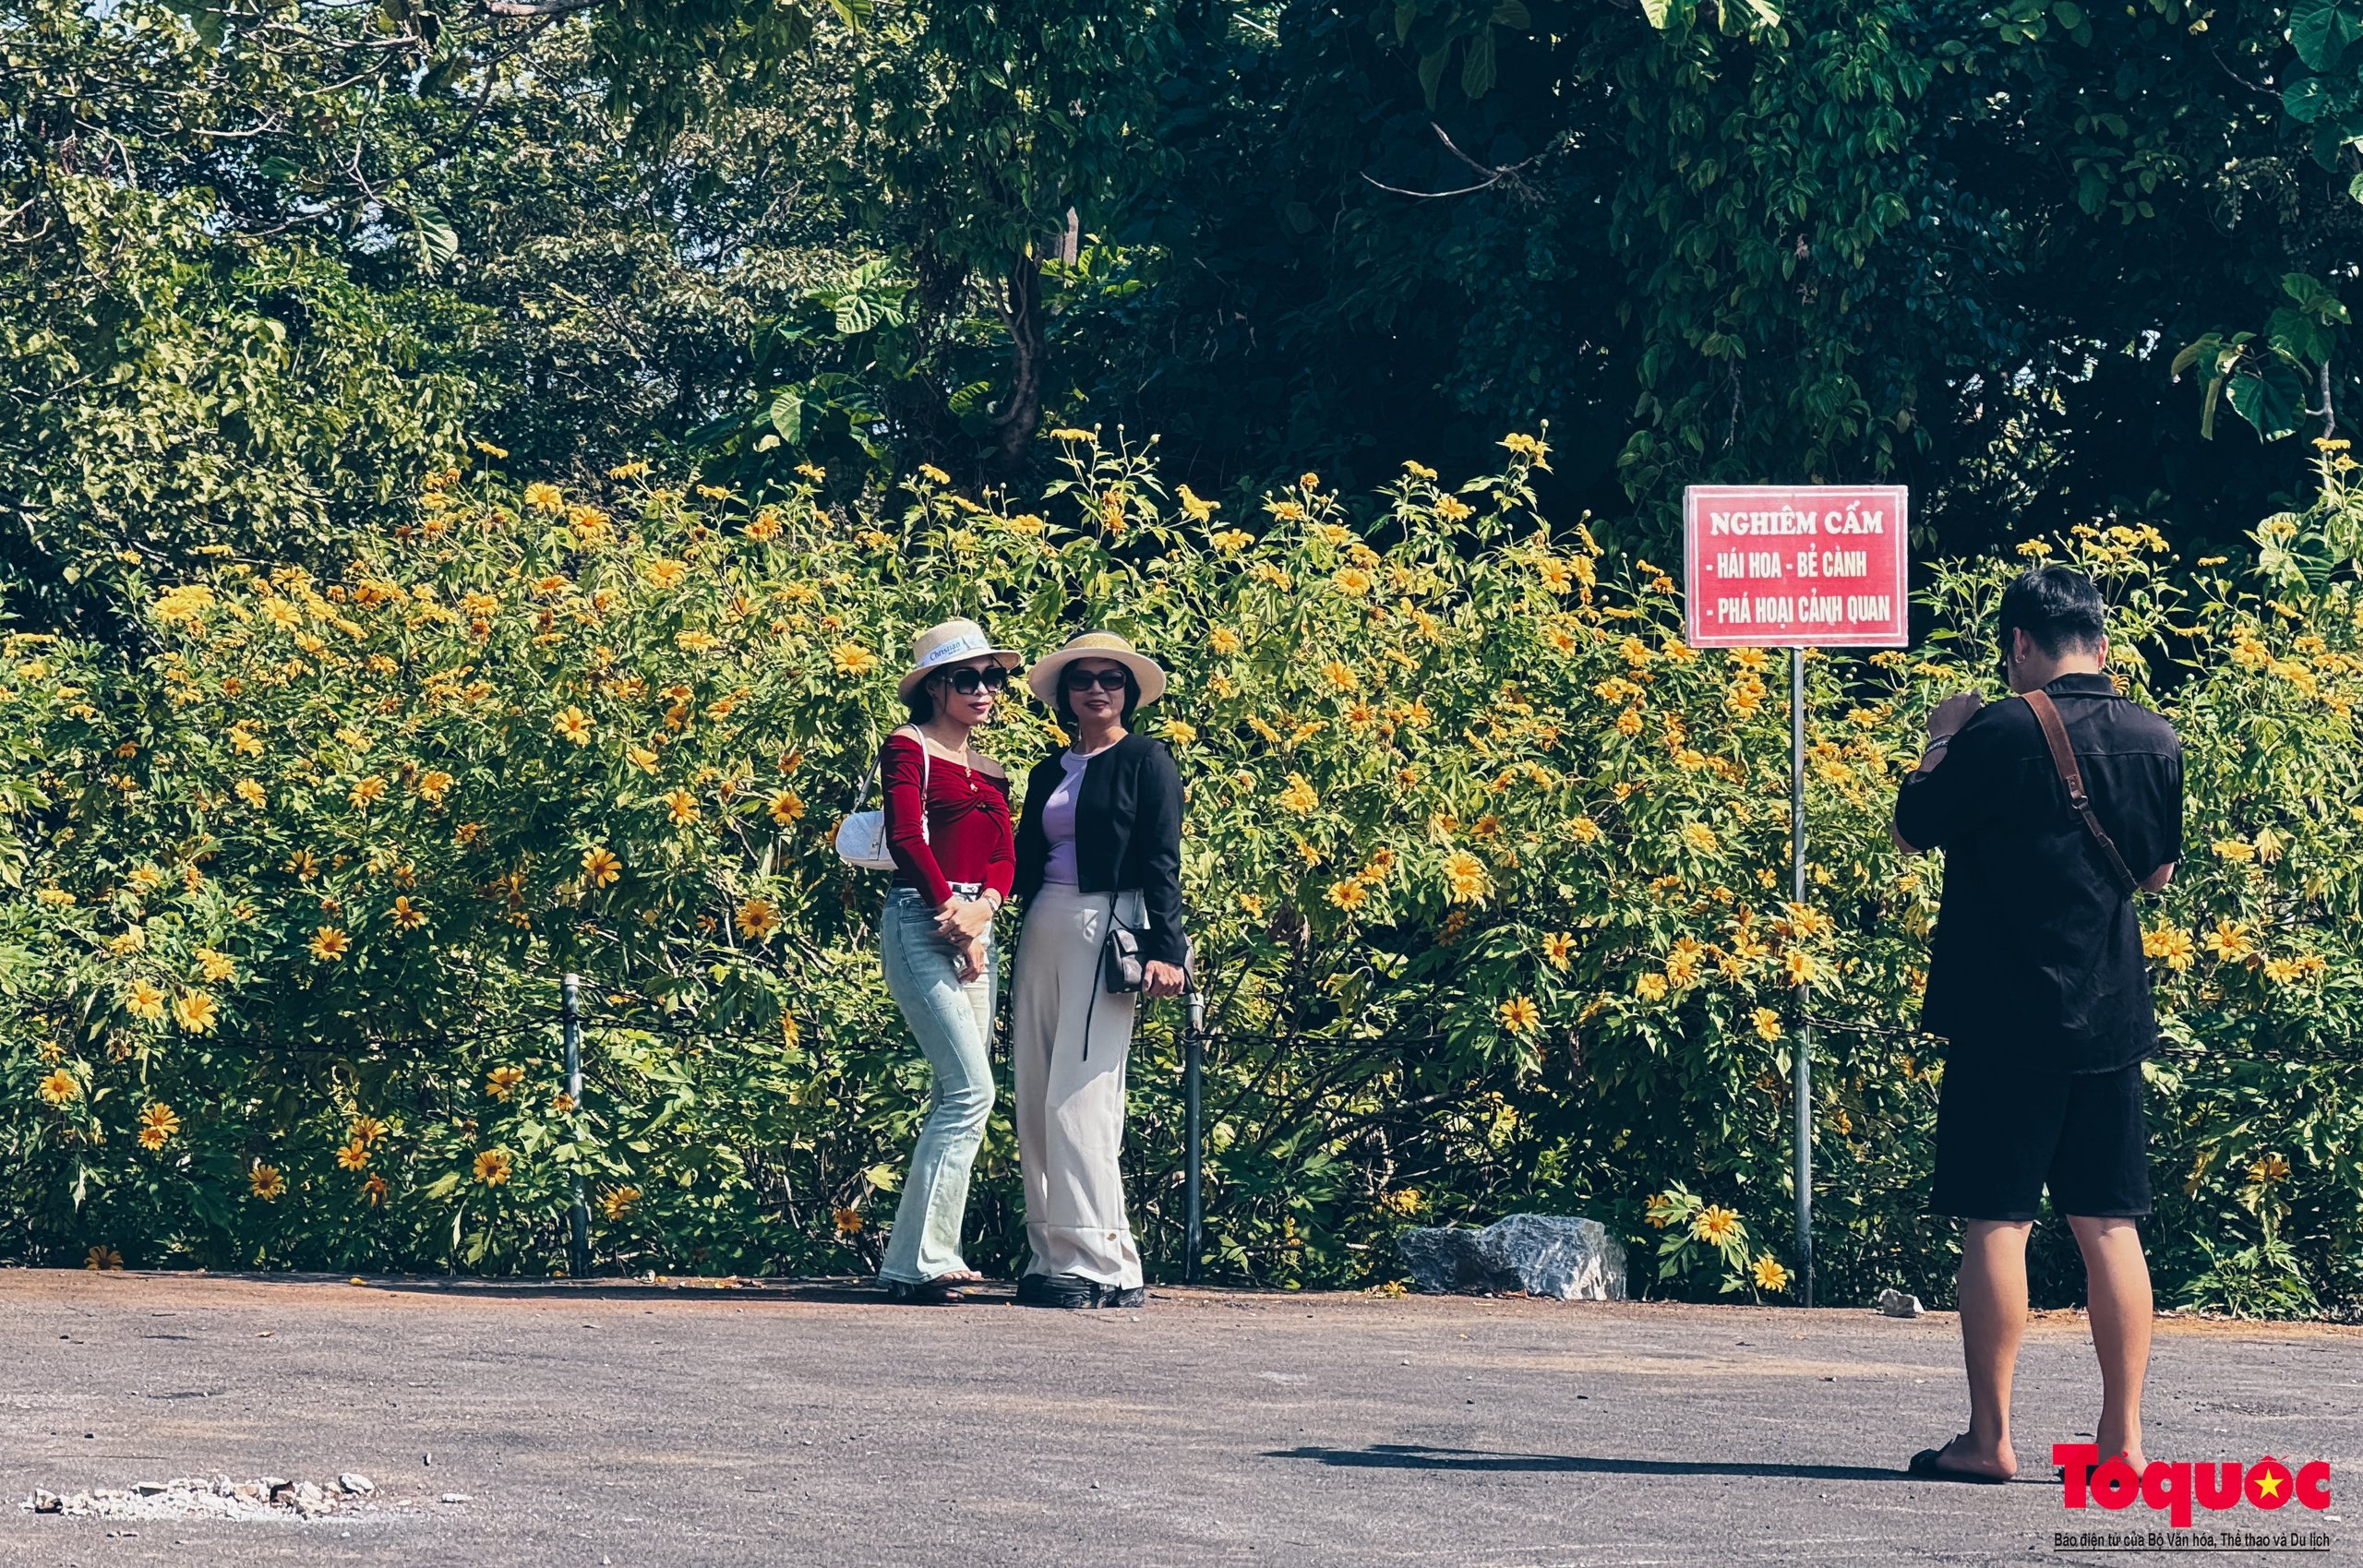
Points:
(2017, 256)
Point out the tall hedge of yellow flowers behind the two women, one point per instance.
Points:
(1490, 880)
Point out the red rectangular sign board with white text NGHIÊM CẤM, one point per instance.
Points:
(1795, 566)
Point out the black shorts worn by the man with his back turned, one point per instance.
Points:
(2003, 1135)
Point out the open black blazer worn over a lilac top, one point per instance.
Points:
(1128, 835)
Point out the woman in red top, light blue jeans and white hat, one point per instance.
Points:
(949, 832)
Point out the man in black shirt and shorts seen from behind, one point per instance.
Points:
(2052, 811)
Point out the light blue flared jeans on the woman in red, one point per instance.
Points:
(953, 1026)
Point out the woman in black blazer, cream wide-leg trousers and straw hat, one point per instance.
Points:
(1100, 842)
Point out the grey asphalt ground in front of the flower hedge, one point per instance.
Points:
(682, 1427)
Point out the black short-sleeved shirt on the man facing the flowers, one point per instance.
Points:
(2038, 953)
